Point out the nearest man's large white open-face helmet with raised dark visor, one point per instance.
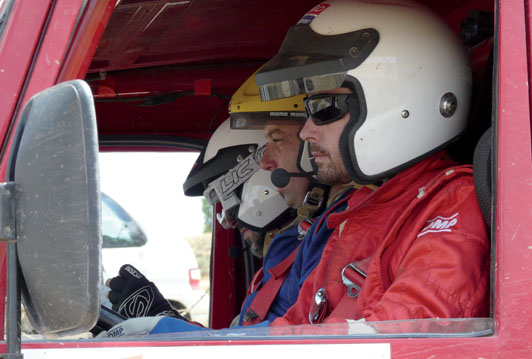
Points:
(408, 72)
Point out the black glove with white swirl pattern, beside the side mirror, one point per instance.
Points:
(133, 296)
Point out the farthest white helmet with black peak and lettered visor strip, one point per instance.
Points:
(228, 171)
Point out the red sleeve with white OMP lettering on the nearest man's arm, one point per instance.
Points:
(445, 271)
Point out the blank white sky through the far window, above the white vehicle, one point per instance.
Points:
(149, 186)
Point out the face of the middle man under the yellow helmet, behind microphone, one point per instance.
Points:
(281, 152)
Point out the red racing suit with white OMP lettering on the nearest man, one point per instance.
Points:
(420, 240)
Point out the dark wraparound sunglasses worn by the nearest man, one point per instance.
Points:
(327, 108)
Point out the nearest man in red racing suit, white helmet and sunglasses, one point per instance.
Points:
(416, 247)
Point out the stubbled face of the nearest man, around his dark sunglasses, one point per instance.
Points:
(324, 145)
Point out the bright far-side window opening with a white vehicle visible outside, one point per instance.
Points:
(144, 189)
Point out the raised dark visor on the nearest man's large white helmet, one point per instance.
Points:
(310, 62)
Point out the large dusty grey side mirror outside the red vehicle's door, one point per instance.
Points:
(51, 209)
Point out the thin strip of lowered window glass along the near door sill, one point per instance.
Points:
(418, 328)
